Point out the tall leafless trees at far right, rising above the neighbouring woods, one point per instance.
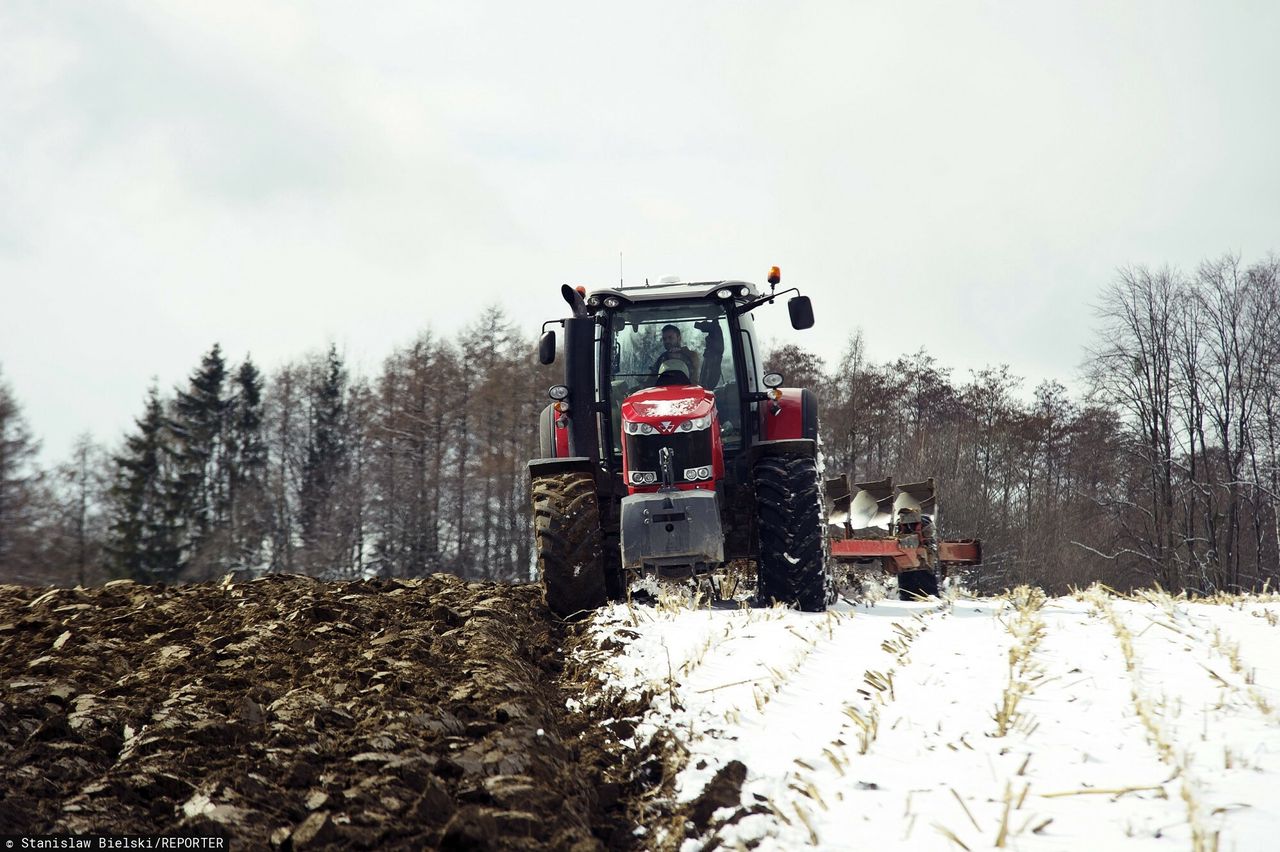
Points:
(1190, 364)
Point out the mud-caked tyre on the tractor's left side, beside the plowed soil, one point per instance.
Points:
(568, 533)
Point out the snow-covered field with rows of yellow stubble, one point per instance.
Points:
(1075, 723)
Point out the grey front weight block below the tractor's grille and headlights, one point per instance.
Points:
(671, 529)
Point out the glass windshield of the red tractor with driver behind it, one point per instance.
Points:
(696, 336)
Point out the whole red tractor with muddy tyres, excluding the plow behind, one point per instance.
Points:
(669, 452)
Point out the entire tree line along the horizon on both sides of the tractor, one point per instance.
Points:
(1165, 470)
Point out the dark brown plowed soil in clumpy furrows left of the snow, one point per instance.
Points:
(299, 714)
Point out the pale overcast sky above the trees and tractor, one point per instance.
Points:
(958, 176)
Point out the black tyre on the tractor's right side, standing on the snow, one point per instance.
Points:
(789, 510)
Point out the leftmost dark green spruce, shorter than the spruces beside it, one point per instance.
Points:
(145, 533)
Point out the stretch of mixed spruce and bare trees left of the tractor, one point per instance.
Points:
(417, 470)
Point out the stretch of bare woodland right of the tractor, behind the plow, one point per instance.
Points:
(1167, 470)
